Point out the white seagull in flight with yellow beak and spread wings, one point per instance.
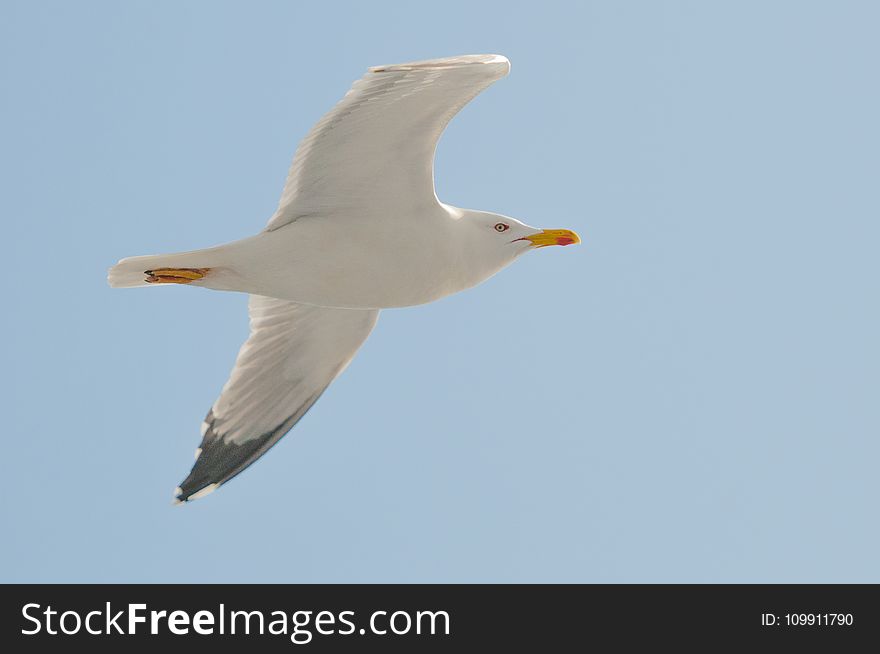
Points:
(358, 229)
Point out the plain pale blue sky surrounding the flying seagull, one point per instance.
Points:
(691, 395)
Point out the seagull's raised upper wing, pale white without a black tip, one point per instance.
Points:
(375, 148)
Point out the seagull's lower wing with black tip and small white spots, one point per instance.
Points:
(292, 354)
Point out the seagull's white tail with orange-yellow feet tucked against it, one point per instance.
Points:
(179, 268)
